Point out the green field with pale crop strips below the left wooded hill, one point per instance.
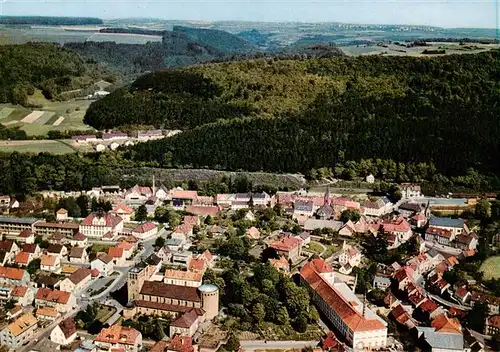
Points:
(53, 116)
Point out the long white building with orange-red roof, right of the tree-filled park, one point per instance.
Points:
(360, 326)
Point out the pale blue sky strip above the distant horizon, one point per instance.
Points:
(443, 13)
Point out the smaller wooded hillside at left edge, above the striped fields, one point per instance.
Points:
(24, 68)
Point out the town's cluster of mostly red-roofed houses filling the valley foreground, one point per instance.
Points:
(169, 280)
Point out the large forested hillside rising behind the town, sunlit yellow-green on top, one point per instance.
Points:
(318, 112)
